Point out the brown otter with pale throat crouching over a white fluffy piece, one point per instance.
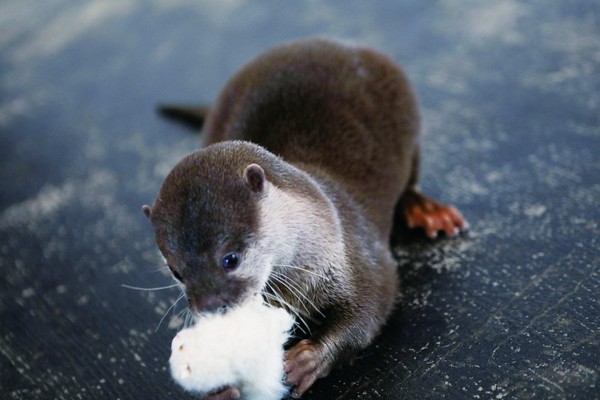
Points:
(311, 152)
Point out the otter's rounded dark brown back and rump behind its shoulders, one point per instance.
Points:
(346, 111)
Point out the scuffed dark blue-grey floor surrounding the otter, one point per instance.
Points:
(510, 95)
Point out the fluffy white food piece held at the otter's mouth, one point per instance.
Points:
(242, 348)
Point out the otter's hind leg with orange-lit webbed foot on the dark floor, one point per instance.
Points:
(420, 211)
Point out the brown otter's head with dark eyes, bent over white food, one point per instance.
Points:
(206, 222)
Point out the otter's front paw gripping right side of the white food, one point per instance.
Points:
(305, 362)
